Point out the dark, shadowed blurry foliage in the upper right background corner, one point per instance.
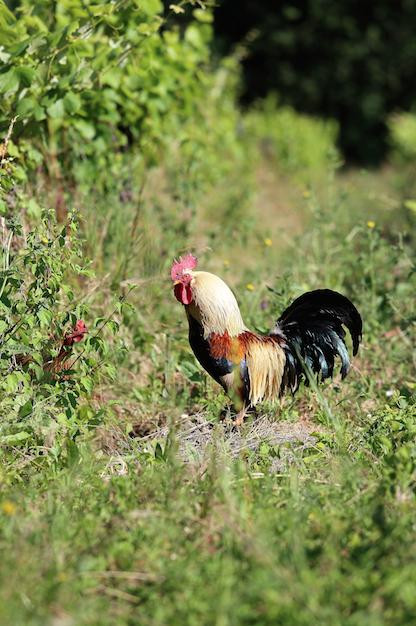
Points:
(342, 60)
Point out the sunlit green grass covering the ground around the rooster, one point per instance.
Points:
(120, 530)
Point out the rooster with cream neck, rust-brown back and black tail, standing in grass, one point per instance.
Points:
(252, 367)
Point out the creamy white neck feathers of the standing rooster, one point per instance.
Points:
(214, 305)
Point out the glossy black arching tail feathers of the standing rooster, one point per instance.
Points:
(312, 329)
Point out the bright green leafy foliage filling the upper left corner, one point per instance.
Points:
(87, 80)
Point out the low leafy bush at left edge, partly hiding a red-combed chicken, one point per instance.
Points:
(46, 384)
